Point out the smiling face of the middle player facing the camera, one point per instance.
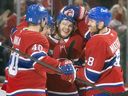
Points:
(65, 28)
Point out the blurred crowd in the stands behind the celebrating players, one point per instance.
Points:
(8, 18)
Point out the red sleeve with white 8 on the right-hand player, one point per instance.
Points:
(95, 53)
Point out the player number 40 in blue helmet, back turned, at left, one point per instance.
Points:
(25, 76)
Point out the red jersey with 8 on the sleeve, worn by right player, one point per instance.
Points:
(101, 69)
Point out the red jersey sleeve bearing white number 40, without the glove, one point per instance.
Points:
(38, 48)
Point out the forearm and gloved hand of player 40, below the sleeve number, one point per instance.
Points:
(66, 66)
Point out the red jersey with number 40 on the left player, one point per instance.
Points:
(25, 76)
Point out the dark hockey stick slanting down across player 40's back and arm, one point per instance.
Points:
(57, 70)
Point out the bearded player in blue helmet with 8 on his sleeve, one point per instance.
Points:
(102, 48)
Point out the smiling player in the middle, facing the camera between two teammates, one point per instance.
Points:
(67, 44)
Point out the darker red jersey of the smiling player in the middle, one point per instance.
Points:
(68, 48)
